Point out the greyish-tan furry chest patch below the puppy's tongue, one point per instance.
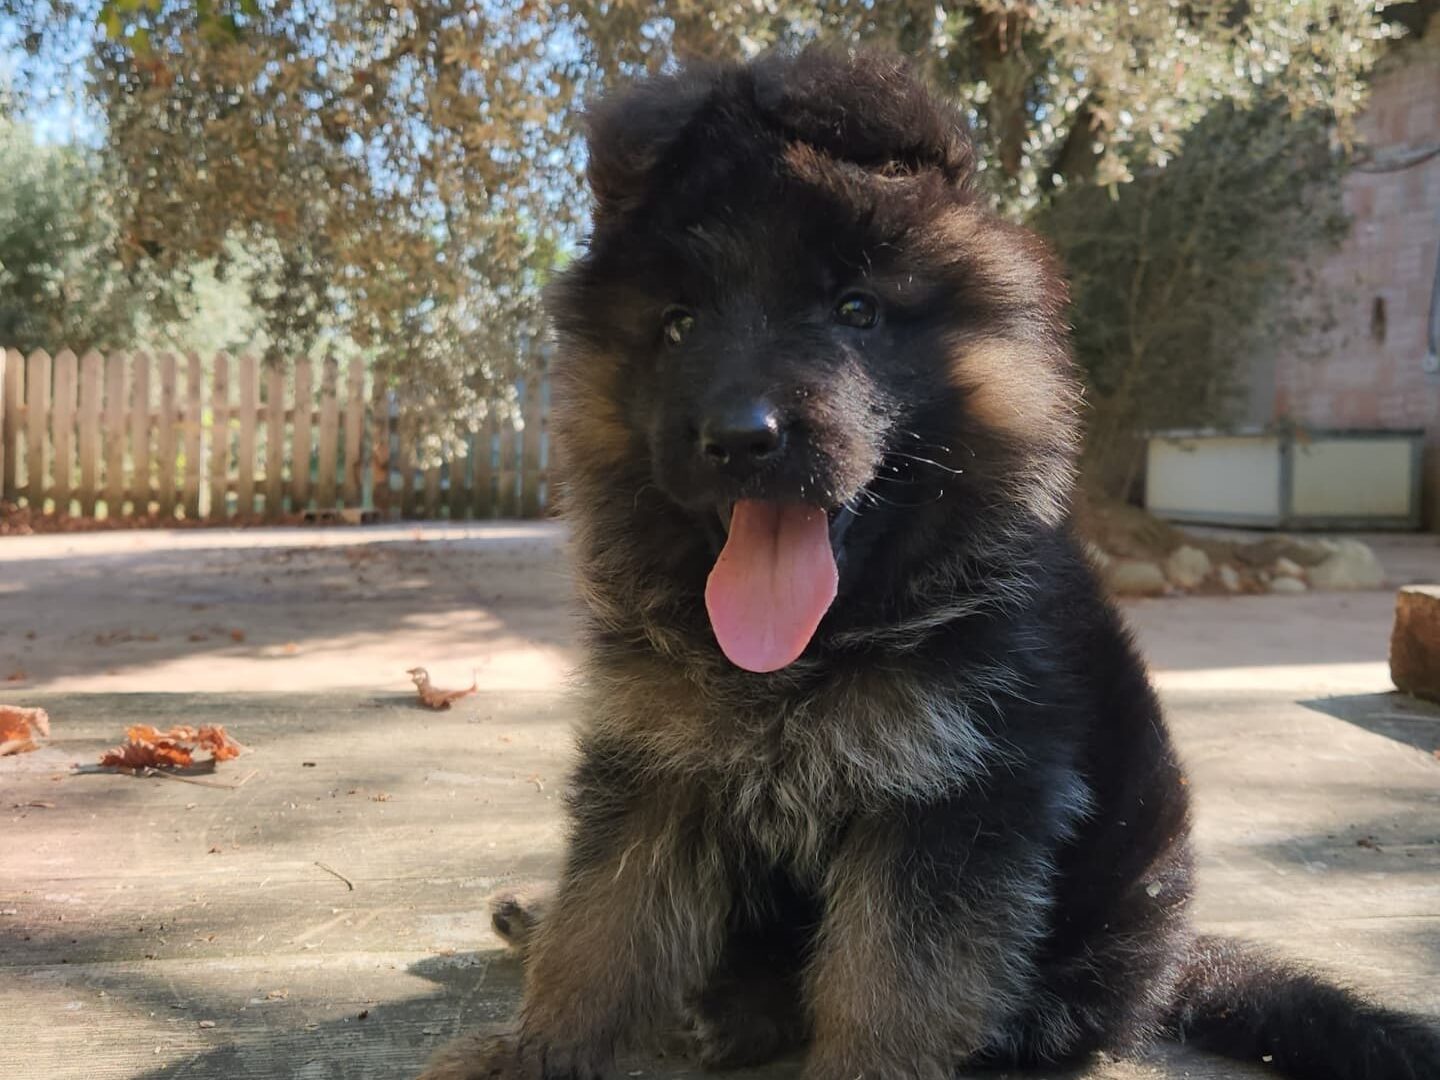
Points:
(780, 768)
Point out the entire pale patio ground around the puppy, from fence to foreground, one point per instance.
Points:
(318, 906)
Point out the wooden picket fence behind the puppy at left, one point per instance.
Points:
(166, 437)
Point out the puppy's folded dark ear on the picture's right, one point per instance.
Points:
(868, 109)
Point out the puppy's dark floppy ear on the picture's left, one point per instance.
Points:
(630, 132)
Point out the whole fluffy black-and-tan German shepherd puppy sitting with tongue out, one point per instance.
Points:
(868, 762)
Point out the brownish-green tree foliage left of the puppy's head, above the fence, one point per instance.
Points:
(401, 174)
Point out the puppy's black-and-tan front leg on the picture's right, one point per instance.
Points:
(927, 944)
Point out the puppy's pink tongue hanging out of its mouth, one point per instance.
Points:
(773, 585)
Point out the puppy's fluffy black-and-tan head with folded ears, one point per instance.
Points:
(793, 309)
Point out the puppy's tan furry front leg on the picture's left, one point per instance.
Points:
(637, 921)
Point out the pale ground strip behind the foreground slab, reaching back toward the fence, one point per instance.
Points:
(310, 610)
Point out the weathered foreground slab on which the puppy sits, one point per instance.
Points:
(328, 918)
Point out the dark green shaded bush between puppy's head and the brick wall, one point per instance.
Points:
(1177, 277)
